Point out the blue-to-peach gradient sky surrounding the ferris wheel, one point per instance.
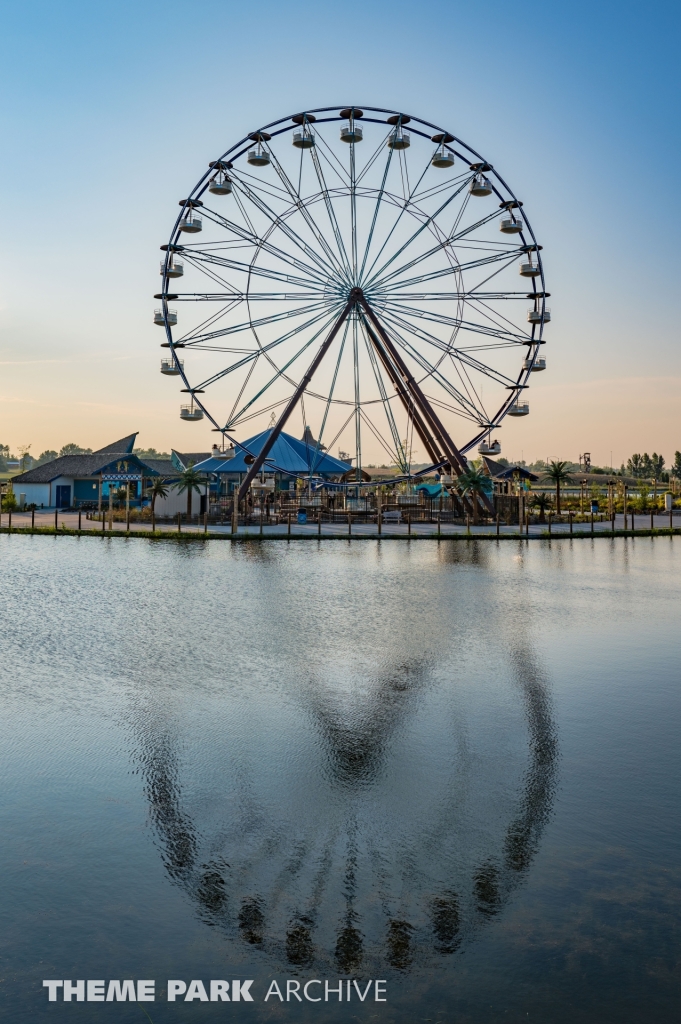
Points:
(111, 113)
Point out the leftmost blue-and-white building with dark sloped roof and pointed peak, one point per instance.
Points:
(84, 481)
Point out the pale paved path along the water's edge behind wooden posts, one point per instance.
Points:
(69, 521)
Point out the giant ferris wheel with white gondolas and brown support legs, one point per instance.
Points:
(362, 278)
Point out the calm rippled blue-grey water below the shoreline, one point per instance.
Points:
(454, 769)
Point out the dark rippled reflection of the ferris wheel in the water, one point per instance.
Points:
(382, 857)
